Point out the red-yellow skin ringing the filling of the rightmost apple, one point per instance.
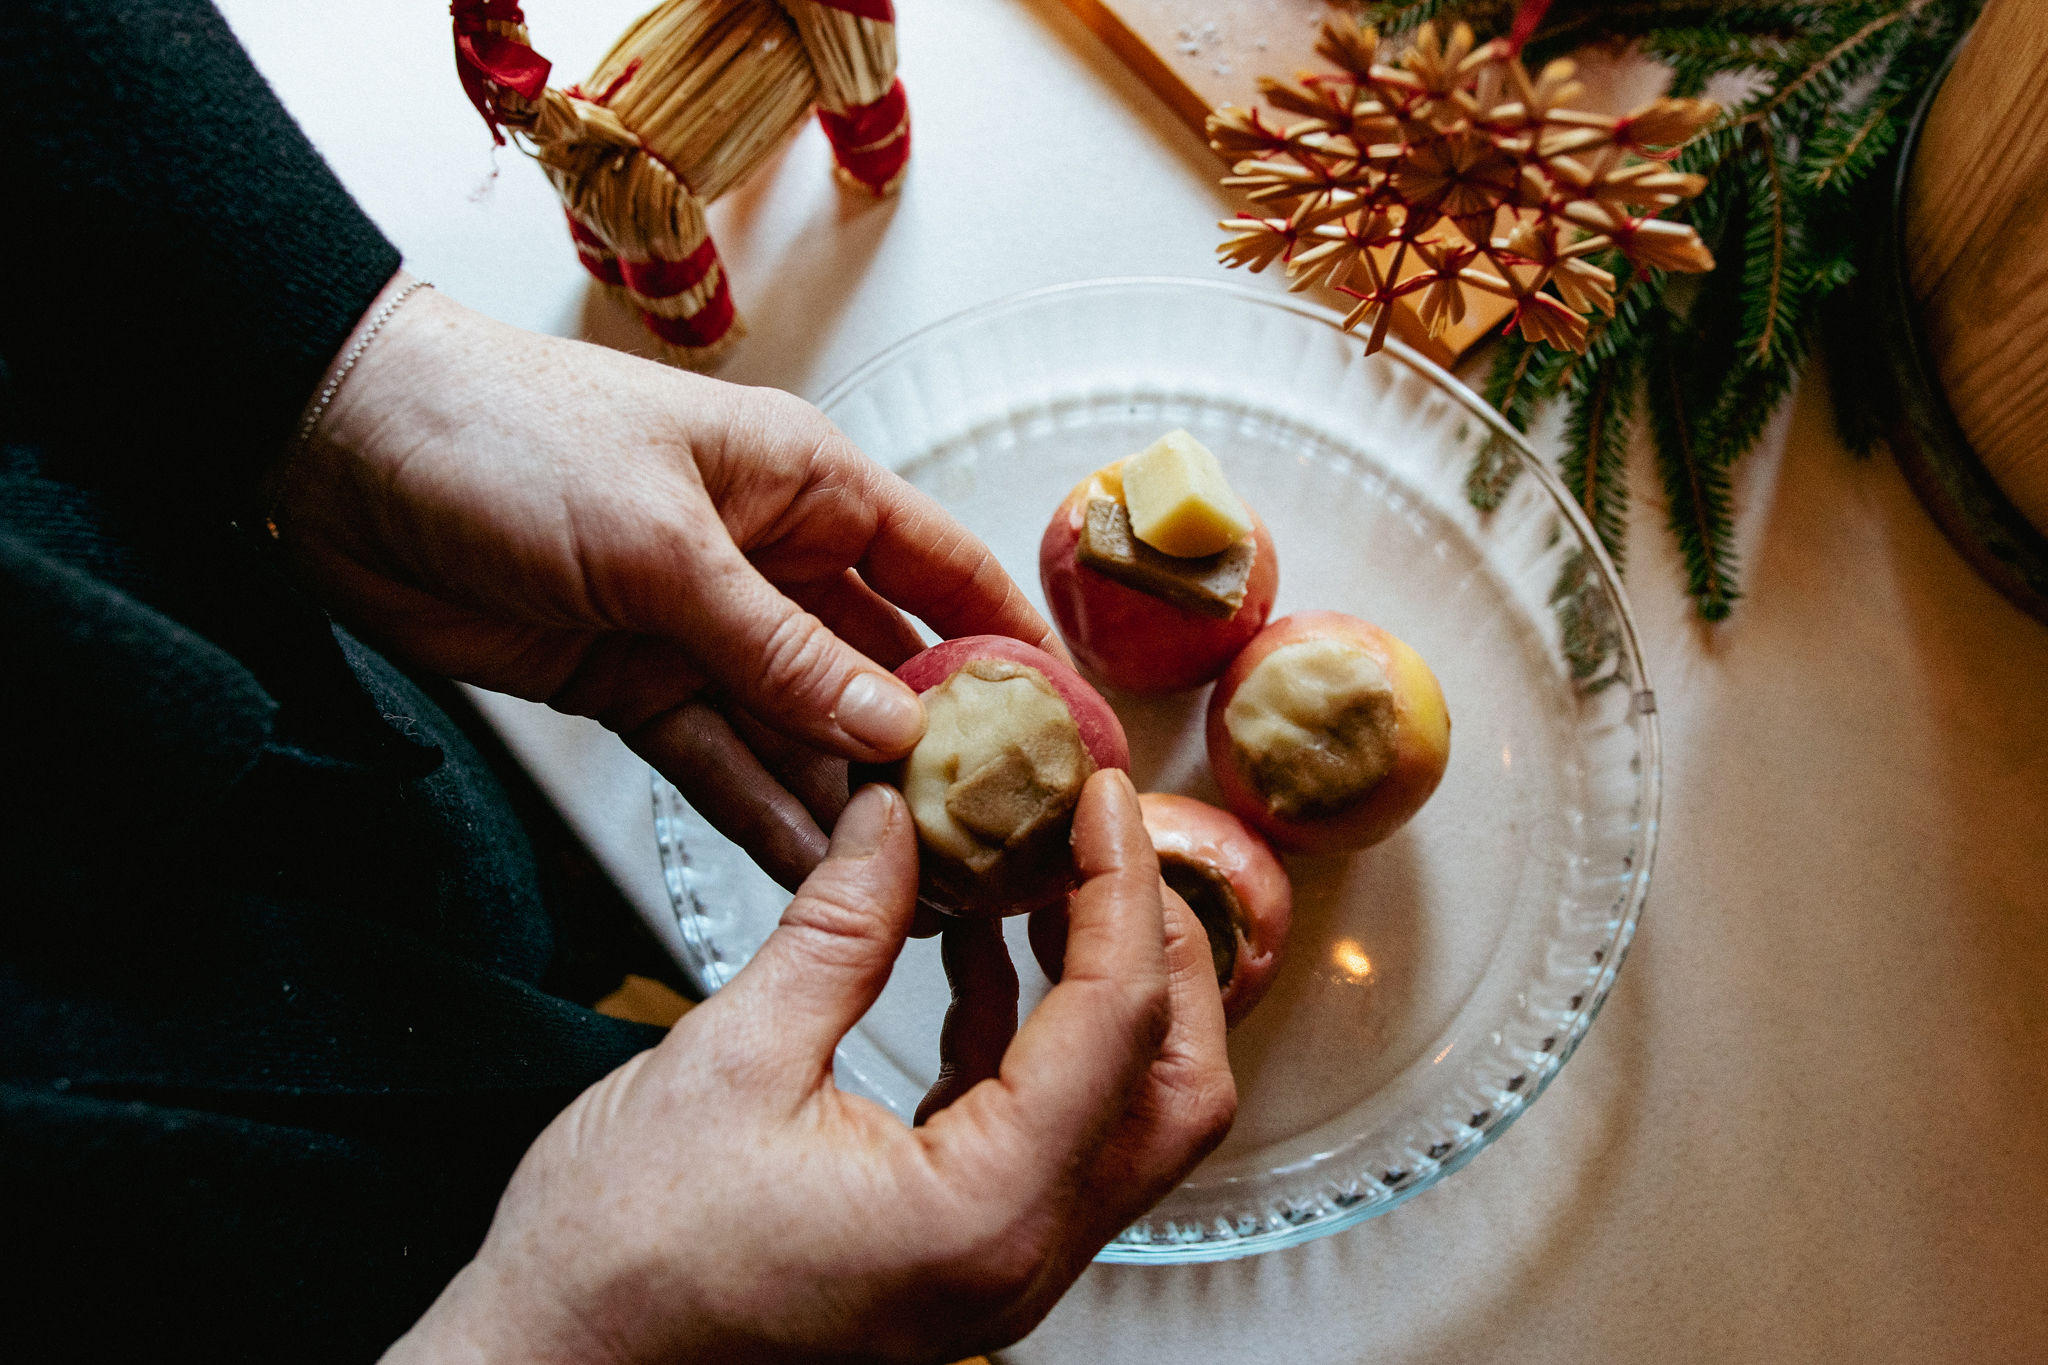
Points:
(1422, 746)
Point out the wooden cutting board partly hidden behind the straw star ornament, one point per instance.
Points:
(1205, 54)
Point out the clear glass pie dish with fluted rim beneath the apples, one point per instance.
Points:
(1433, 985)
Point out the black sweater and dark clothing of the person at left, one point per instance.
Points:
(280, 994)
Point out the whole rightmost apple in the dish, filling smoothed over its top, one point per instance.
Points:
(1328, 734)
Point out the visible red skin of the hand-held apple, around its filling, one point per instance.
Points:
(951, 889)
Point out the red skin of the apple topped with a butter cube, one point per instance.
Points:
(1132, 640)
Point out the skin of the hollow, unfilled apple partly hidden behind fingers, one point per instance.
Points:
(1218, 842)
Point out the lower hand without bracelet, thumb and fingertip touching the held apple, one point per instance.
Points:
(722, 1200)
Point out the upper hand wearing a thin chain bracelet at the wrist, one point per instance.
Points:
(714, 572)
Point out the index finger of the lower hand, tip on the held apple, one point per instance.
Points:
(1078, 1057)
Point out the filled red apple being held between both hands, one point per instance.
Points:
(1011, 738)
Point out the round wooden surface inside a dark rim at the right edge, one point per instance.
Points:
(1977, 247)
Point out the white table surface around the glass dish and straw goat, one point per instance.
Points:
(1811, 1122)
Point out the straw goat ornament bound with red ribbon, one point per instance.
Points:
(685, 107)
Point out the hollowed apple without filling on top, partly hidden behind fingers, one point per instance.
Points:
(1232, 883)
